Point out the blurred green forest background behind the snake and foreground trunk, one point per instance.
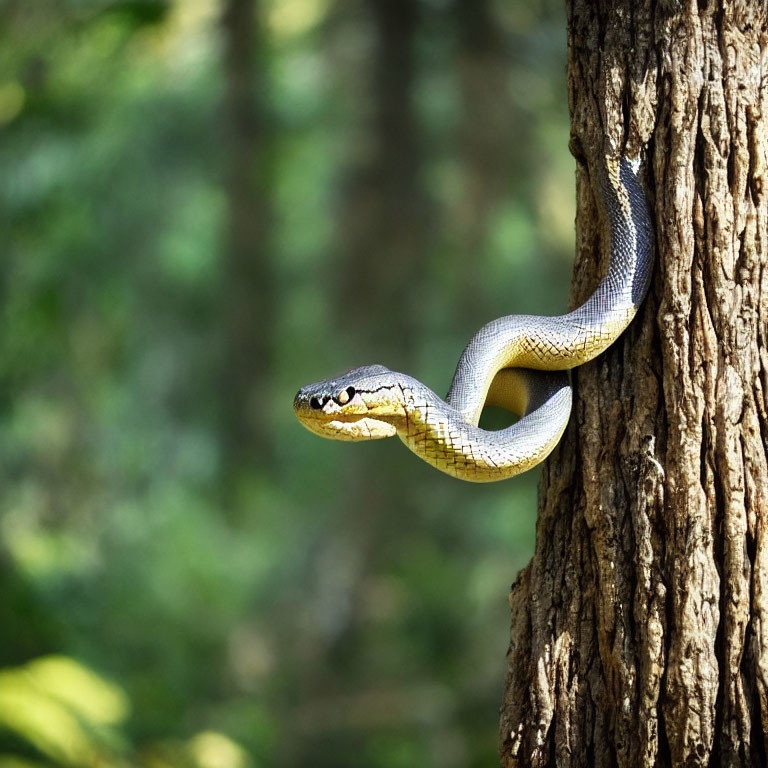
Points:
(205, 206)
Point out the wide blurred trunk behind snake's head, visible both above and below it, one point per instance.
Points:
(382, 241)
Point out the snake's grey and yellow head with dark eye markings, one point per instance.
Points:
(362, 404)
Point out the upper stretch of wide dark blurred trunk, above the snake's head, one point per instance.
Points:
(383, 223)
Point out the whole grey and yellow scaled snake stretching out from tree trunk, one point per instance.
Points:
(517, 362)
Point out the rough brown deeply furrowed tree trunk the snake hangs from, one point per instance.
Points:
(639, 633)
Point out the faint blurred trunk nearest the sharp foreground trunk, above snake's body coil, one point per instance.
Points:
(485, 135)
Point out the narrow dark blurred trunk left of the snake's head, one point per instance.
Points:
(248, 307)
